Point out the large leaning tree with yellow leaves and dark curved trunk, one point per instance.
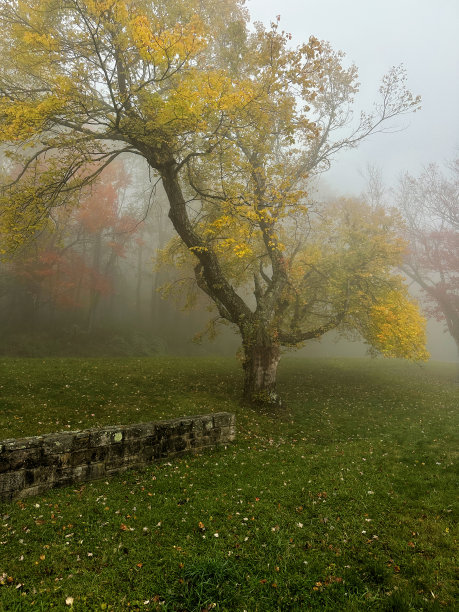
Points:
(231, 121)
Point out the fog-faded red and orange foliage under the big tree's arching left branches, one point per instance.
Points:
(78, 258)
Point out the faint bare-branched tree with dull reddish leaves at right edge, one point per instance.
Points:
(430, 205)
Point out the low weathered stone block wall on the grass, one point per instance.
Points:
(30, 466)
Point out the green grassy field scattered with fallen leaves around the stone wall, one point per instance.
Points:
(344, 501)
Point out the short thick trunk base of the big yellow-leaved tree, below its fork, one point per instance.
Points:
(260, 370)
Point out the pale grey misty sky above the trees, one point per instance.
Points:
(376, 35)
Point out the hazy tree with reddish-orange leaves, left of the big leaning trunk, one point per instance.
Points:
(73, 266)
